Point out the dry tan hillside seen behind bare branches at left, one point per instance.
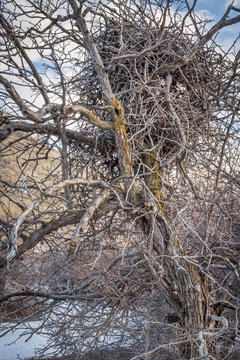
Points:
(25, 166)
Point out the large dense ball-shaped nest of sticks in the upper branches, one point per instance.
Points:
(140, 84)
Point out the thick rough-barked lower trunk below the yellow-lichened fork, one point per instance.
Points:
(179, 282)
